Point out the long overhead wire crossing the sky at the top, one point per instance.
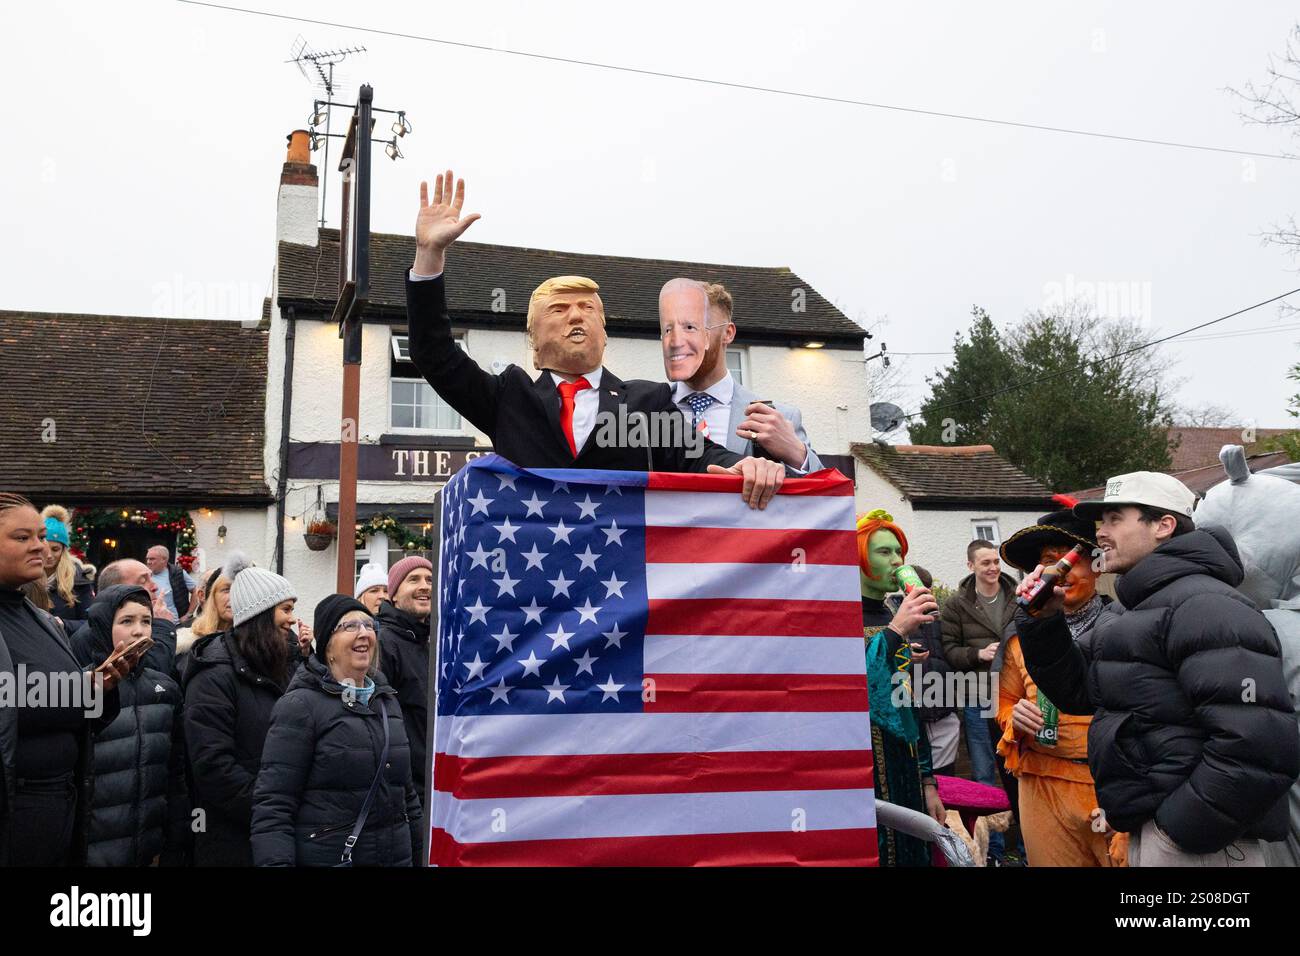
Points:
(751, 88)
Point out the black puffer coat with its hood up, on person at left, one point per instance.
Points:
(140, 811)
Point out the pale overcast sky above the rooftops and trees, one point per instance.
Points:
(144, 145)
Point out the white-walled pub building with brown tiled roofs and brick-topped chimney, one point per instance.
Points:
(232, 430)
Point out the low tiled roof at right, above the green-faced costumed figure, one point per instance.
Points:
(954, 475)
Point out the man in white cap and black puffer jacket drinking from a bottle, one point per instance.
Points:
(1194, 741)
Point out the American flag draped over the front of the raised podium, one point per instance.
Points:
(638, 669)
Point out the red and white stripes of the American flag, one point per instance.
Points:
(755, 747)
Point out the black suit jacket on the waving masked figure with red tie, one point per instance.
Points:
(522, 416)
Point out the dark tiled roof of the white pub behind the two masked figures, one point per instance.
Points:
(491, 285)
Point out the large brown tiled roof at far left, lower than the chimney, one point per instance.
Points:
(168, 412)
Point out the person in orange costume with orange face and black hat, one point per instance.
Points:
(1046, 750)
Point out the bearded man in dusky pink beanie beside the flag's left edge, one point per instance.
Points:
(405, 652)
